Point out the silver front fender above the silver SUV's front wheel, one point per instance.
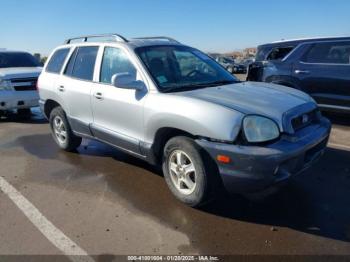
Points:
(199, 118)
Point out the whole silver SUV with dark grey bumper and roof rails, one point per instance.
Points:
(175, 107)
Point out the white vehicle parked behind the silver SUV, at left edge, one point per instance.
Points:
(19, 73)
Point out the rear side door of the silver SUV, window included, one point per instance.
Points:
(75, 87)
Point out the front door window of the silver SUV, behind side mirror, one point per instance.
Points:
(115, 61)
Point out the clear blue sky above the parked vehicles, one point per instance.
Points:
(210, 25)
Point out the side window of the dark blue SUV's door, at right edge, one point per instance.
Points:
(331, 53)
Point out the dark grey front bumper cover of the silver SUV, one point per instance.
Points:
(256, 168)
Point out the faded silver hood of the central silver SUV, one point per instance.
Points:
(253, 98)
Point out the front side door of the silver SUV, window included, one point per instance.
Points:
(118, 112)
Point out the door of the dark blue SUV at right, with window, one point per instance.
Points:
(324, 73)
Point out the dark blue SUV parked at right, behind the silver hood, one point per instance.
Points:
(319, 67)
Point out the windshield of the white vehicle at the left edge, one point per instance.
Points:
(13, 59)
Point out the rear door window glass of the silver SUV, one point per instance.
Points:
(82, 63)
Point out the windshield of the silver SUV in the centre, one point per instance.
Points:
(178, 68)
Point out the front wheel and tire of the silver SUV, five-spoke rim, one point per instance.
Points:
(198, 195)
